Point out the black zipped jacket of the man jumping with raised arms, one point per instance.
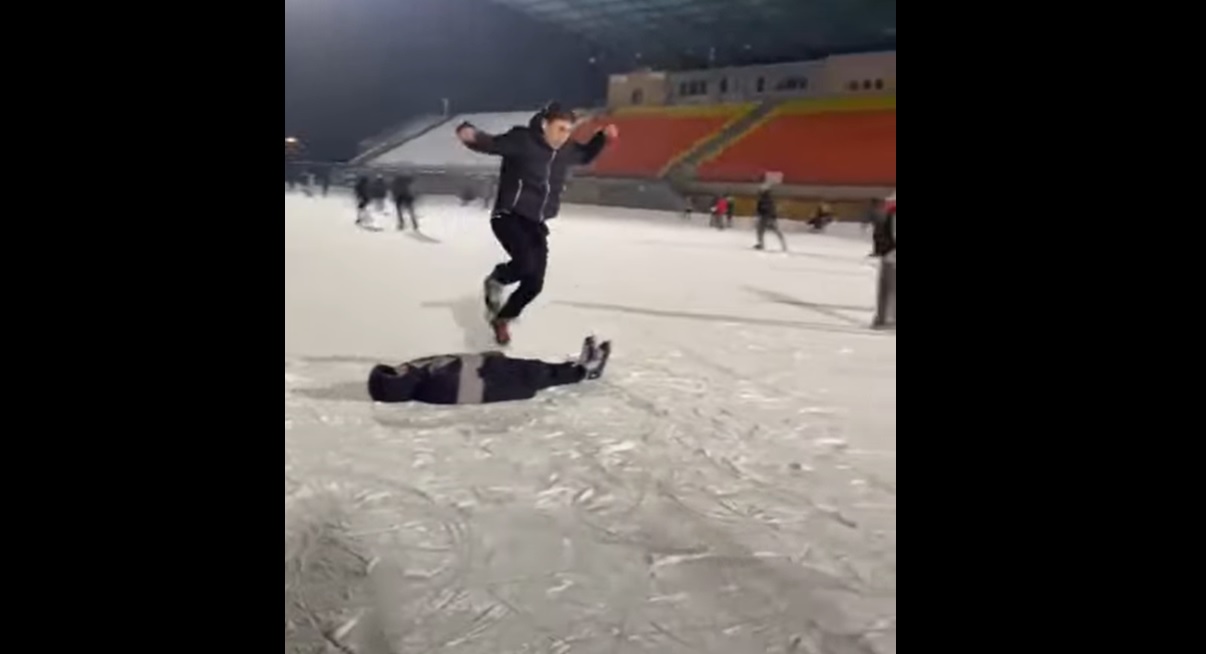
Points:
(534, 174)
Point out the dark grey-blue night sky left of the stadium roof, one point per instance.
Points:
(354, 68)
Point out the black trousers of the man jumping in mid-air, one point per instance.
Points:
(528, 243)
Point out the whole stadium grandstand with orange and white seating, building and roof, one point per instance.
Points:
(722, 96)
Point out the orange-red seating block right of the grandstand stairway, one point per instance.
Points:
(846, 142)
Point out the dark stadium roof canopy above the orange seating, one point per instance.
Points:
(677, 34)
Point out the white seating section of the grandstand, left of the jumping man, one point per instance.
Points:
(441, 149)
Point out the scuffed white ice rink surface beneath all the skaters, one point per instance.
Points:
(729, 488)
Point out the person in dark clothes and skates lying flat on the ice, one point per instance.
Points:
(483, 378)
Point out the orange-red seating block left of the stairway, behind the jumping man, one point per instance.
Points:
(654, 139)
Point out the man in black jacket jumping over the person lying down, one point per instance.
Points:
(536, 165)
